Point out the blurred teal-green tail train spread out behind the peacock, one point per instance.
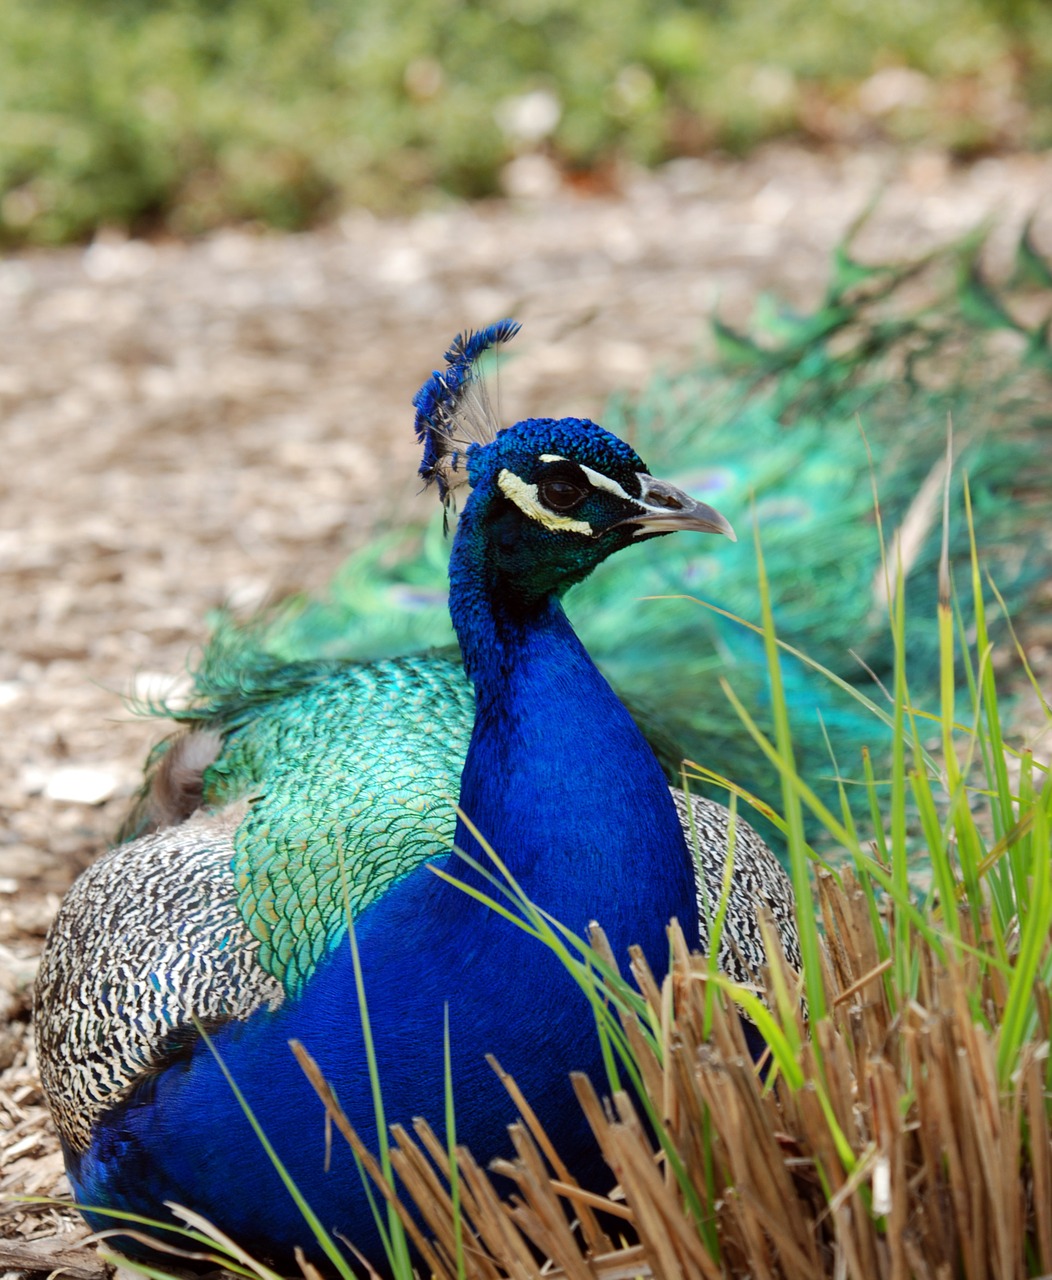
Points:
(793, 426)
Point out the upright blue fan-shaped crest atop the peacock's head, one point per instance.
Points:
(454, 409)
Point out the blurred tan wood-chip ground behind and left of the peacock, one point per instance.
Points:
(189, 424)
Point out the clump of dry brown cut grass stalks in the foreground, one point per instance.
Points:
(895, 1155)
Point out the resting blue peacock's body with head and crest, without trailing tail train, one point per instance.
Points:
(308, 793)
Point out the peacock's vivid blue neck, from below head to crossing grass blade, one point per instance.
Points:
(559, 779)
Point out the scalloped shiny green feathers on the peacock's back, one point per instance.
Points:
(310, 851)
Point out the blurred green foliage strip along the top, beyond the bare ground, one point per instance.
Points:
(185, 115)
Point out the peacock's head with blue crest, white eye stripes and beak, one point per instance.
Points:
(550, 499)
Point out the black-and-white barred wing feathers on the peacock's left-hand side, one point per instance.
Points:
(161, 918)
